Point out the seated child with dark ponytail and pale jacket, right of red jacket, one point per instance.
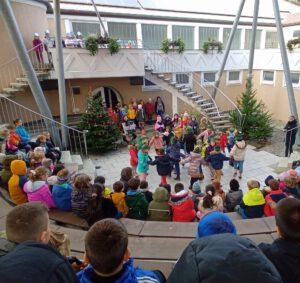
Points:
(210, 202)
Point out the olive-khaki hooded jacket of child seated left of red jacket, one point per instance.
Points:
(159, 208)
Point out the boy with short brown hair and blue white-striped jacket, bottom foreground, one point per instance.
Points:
(109, 256)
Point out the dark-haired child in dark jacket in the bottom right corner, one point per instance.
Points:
(284, 252)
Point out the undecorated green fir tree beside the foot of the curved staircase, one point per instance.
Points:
(256, 122)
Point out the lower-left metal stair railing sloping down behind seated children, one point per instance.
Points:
(36, 124)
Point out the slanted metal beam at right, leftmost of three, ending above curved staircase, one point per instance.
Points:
(227, 50)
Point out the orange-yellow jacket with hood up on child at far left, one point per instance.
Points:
(17, 181)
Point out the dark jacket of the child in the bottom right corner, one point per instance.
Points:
(285, 256)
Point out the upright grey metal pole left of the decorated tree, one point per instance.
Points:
(60, 73)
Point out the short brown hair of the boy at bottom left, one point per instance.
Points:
(26, 221)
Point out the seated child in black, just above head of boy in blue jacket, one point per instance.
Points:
(100, 207)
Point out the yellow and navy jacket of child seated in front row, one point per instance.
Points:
(253, 203)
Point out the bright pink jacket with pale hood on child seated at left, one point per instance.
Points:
(39, 191)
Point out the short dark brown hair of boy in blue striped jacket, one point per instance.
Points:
(105, 245)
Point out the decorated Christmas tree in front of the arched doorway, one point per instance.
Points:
(103, 133)
